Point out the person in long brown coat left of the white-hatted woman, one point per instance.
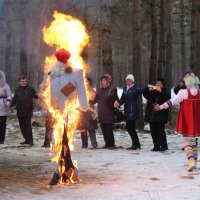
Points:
(105, 97)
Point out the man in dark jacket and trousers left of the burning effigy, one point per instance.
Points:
(23, 100)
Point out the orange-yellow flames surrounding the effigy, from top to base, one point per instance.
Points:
(69, 33)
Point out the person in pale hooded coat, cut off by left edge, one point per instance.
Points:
(5, 102)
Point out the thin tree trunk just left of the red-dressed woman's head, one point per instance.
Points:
(182, 27)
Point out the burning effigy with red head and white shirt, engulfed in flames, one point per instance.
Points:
(64, 90)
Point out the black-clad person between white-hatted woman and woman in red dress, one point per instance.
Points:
(157, 94)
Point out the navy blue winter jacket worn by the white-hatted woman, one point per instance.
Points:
(129, 99)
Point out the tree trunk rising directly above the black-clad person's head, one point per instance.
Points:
(161, 57)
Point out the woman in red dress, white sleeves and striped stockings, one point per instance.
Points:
(188, 117)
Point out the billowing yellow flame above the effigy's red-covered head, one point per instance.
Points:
(67, 32)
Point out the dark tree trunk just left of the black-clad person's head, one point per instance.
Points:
(154, 43)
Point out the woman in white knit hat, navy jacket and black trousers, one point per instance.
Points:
(131, 109)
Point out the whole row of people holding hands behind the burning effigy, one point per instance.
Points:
(156, 113)
